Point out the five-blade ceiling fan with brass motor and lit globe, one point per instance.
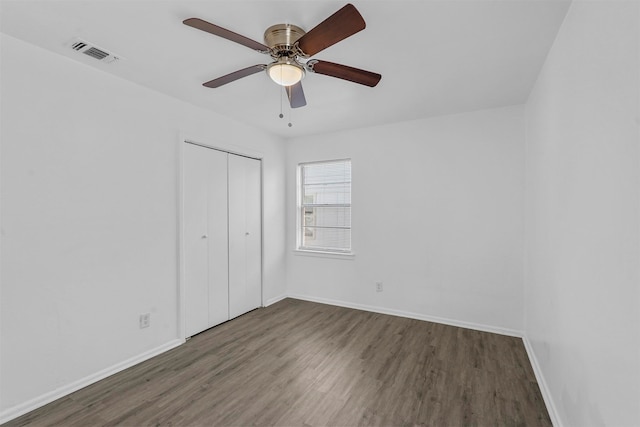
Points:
(290, 47)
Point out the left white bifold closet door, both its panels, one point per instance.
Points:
(205, 238)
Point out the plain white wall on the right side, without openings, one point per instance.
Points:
(583, 217)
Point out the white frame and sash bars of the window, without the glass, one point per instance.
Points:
(300, 249)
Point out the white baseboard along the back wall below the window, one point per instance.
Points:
(410, 315)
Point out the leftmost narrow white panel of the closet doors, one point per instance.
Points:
(195, 224)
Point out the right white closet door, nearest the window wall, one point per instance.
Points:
(245, 245)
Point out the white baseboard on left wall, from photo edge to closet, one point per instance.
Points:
(65, 390)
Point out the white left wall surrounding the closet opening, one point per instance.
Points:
(89, 219)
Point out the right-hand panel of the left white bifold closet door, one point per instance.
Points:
(217, 238)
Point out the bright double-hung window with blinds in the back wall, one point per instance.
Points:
(324, 206)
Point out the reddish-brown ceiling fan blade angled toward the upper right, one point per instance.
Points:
(342, 24)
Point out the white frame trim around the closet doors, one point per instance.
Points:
(227, 148)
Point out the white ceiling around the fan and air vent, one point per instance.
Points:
(435, 57)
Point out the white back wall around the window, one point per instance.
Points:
(437, 217)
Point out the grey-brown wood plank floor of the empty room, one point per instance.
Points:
(301, 363)
